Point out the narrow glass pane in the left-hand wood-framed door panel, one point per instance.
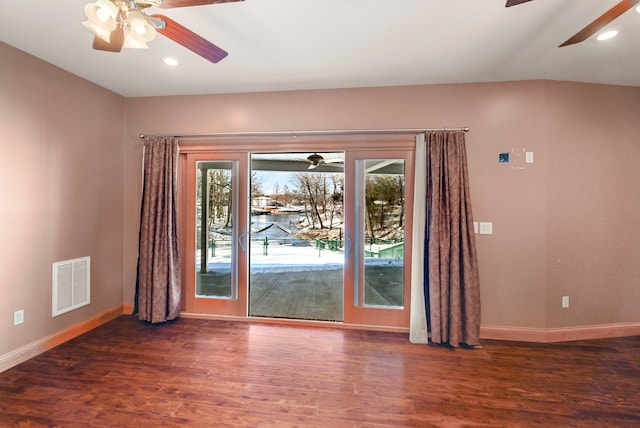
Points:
(214, 235)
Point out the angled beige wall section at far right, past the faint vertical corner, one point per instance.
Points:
(593, 206)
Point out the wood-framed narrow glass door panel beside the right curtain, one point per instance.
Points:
(379, 227)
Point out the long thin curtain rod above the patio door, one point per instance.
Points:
(309, 133)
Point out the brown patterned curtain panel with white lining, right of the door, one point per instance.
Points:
(452, 286)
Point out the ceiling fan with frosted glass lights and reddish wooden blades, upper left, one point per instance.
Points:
(118, 24)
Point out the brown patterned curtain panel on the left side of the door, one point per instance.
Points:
(158, 287)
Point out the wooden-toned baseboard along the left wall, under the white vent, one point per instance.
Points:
(32, 349)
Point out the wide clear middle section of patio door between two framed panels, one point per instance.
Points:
(297, 251)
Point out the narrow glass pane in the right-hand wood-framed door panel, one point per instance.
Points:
(383, 227)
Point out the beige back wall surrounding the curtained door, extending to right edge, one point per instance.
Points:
(565, 225)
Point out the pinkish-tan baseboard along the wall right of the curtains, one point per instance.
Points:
(560, 334)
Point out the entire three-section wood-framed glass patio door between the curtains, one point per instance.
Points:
(291, 234)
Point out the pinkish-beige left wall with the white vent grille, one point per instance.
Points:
(61, 192)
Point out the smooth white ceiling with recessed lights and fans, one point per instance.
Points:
(309, 44)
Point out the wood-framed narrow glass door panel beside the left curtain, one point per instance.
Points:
(216, 233)
